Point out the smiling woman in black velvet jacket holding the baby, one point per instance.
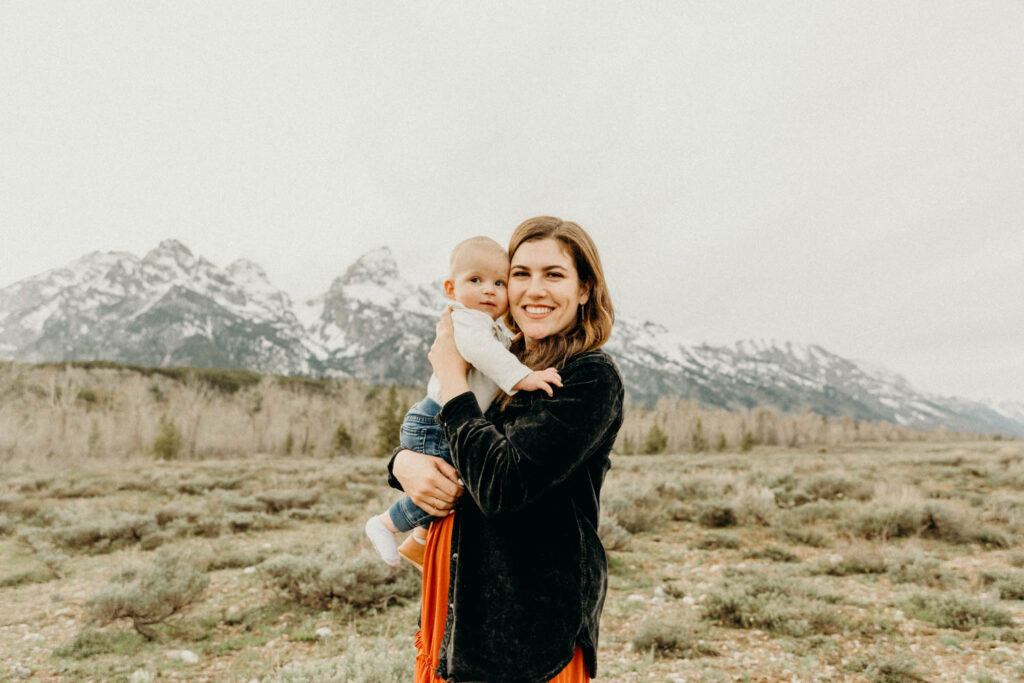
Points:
(515, 581)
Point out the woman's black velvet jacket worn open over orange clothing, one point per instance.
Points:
(529, 573)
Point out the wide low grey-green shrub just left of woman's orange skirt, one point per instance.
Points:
(327, 580)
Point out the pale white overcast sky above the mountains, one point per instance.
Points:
(848, 175)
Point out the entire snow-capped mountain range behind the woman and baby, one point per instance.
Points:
(172, 309)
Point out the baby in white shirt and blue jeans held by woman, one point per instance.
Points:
(477, 285)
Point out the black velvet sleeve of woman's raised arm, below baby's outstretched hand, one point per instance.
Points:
(540, 448)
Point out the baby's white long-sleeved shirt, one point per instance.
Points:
(485, 345)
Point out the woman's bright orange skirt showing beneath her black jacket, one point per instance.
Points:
(435, 612)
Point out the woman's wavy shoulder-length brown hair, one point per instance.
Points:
(594, 319)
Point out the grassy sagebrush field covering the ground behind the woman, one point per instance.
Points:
(869, 563)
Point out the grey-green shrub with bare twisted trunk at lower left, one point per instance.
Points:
(149, 596)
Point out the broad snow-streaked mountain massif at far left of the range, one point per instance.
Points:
(167, 309)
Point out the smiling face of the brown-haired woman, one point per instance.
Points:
(544, 289)
